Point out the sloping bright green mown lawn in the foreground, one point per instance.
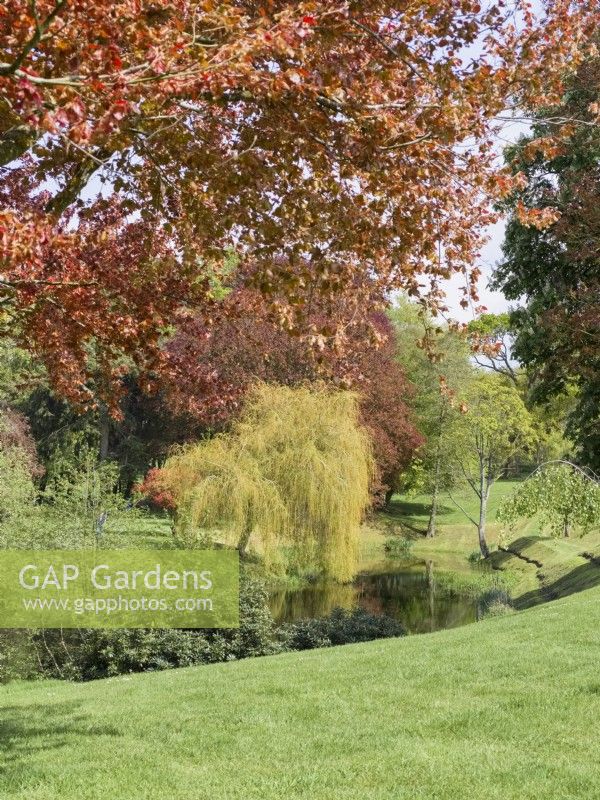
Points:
(506, 708)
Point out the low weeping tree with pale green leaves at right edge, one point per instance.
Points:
(561, 493)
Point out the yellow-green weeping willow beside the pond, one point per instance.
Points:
(291, 476)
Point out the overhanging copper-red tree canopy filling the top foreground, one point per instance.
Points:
(331, 143)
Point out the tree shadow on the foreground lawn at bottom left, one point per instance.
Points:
(27, 731)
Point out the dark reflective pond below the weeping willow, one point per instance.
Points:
(406, 591)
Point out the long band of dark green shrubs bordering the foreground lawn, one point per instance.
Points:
(86, 654)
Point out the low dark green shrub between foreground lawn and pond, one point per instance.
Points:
(340, 627)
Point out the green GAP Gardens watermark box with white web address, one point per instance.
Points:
(119, 589)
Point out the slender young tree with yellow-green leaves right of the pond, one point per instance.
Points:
(495, 429)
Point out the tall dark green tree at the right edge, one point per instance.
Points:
(551, 256)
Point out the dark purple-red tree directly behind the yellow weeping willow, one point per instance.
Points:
(212, 365)
